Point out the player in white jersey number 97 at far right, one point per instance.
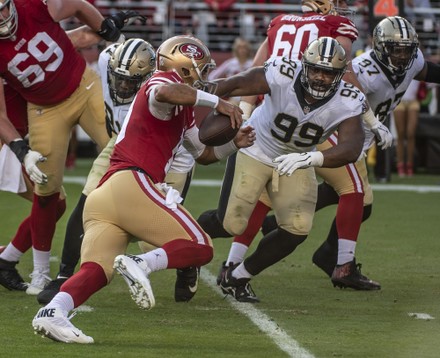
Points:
(385, 73)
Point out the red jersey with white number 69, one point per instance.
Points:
(41, 62)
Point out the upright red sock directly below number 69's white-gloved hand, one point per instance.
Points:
(43, 220)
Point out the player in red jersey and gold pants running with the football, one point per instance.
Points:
(132, 199)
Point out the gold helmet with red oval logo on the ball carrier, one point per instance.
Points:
(189, 57)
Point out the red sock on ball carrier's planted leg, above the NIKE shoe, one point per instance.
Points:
(88, 280)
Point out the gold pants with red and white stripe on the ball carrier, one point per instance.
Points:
(129, 205)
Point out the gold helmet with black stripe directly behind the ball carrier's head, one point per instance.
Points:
(130, 65)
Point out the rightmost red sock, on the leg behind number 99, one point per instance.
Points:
(349, 215)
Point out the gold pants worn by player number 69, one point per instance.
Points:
(50, 128)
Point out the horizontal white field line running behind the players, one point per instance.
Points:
(218, 183)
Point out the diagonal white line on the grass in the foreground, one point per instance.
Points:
(263, 322)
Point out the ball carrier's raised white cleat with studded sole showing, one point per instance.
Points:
(135, 272)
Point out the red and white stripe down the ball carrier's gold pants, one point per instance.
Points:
(181, 216)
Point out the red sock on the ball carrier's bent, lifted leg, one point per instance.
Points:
(183, 253)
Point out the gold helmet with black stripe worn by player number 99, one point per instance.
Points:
(326, 55)
